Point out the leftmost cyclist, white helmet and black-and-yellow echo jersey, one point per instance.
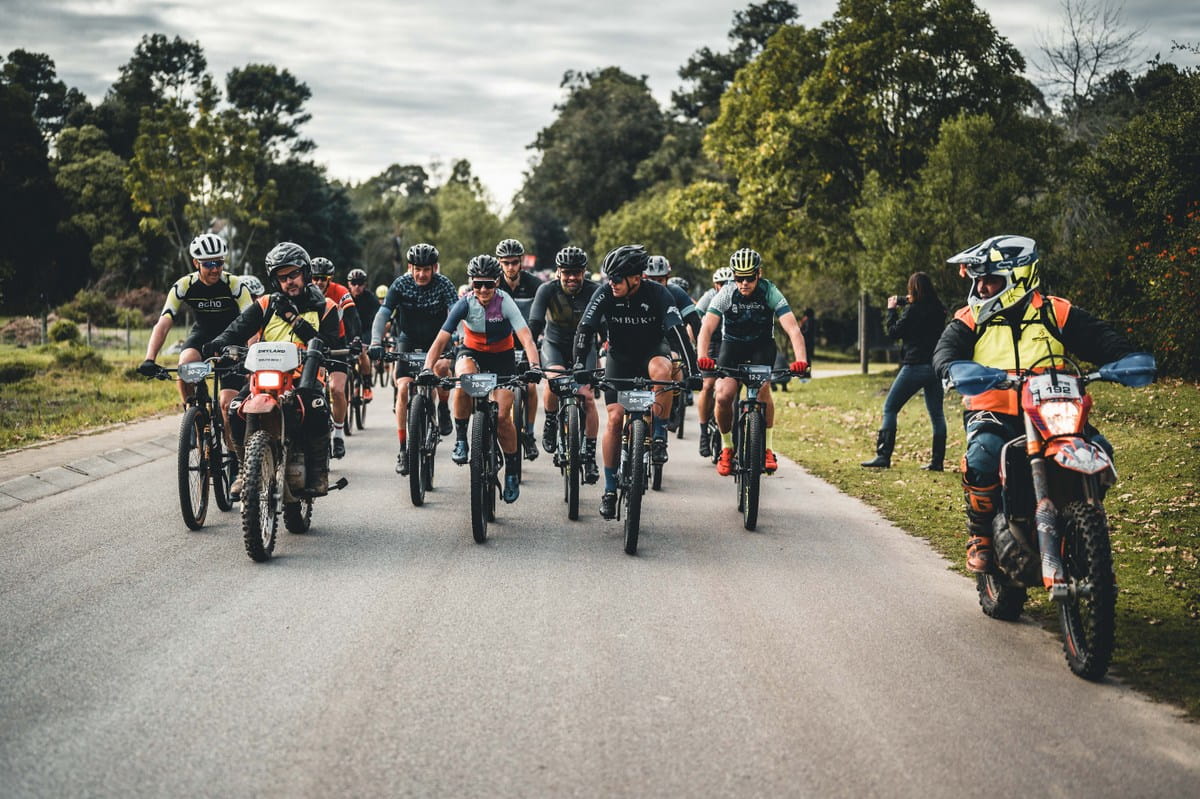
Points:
(217, 298)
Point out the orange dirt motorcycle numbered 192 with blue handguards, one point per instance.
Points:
(1052, 530)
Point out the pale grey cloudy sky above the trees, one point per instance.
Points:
(397, 81)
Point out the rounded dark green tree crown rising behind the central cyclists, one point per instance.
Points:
(608, 125)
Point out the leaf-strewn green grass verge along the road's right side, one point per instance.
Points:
(829, 426)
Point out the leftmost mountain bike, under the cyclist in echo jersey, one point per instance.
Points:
(205, 459)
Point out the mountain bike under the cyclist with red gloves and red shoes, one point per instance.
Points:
(751, 435)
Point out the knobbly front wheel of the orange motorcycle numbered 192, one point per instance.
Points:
(1089, 614)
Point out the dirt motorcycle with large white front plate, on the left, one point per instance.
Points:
(274, 473)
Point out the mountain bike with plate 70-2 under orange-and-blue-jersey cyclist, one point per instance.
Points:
(487, 458)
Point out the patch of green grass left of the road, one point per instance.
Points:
(51, 392)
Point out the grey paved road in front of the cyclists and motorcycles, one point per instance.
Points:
(387, 654)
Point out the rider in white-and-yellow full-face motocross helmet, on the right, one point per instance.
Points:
(1010, 323)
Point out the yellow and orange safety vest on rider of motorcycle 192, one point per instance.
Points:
(1007, 346)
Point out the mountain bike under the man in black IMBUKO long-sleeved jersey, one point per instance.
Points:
(638, 402)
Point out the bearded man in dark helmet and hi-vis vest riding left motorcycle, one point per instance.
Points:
(297, 311)
